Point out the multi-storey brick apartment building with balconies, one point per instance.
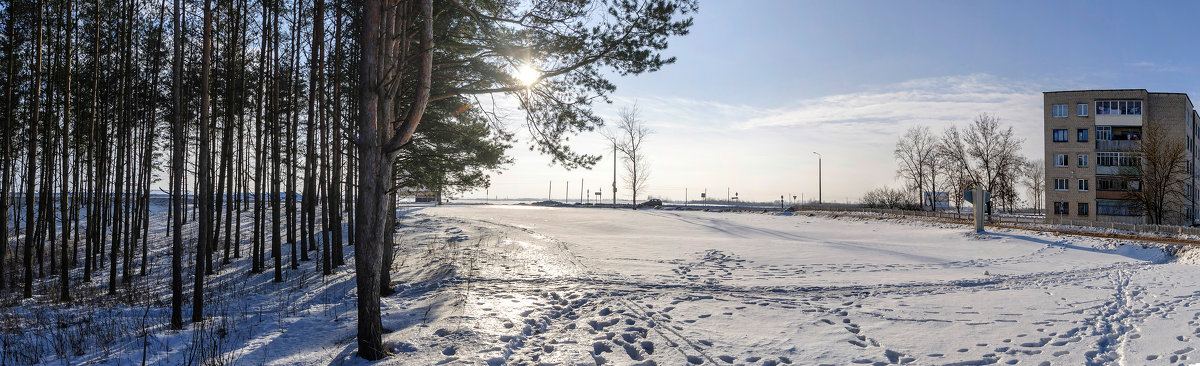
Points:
(1091, 143)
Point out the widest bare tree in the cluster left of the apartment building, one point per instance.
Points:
(985, 152)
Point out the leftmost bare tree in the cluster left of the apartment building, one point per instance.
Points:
(917, 157)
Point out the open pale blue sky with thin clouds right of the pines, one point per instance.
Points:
(759, 87)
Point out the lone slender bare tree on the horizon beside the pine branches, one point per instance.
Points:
(631, 136)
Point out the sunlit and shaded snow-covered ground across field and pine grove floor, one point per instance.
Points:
(493, 285)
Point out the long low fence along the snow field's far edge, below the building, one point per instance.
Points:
(1018, 220)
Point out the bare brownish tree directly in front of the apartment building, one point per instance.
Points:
(1163, 173)
